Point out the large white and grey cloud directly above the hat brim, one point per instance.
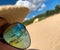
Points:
(30, 5)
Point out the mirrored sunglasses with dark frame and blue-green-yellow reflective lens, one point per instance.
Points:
(15, 35)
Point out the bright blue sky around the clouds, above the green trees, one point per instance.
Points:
(46, 5)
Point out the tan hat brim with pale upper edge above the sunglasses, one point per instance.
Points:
(13, 13)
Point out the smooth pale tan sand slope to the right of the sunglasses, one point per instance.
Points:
(45, 35)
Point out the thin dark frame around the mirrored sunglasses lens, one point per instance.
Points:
(2, 37)
